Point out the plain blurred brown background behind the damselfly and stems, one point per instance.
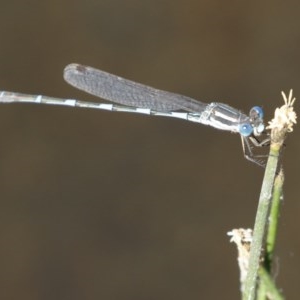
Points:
(101, 205)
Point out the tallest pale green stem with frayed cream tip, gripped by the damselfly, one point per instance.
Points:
(282, 123)
